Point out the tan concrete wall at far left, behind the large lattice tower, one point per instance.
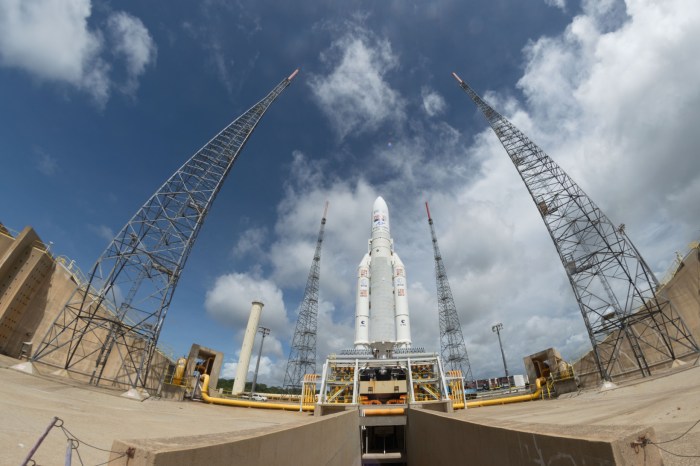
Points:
(34, 289)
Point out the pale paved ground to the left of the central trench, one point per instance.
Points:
(28, 404)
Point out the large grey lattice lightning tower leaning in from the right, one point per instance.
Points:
(615, 288)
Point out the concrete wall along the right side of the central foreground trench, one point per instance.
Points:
(438, 439)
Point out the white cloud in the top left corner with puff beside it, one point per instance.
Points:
(52, 41)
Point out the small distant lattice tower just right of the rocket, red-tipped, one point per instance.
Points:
(452, 347)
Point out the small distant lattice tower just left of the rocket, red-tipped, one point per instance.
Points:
(302, 354)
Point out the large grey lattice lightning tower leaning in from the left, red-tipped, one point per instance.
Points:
(116, 316)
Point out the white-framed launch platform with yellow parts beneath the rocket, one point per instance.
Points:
(382, 390)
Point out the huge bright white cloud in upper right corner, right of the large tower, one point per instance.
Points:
(625, 127)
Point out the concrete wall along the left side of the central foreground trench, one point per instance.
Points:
(329, 440)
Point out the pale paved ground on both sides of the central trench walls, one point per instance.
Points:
(670, 404)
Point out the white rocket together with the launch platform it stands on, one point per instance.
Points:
(384, 376)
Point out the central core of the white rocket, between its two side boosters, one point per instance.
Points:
(381, 326)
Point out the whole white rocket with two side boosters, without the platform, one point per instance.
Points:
(381, 310)
